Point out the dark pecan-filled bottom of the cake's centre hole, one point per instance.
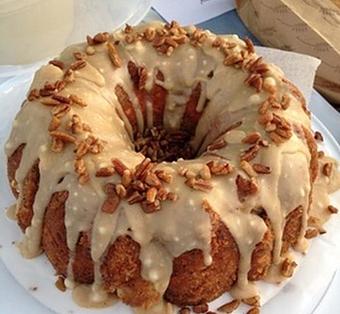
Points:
(160, 144)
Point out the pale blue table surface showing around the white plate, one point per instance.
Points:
(15, 299)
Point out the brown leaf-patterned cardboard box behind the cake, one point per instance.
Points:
(306, 26)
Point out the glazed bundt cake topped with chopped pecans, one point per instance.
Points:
(162, 162)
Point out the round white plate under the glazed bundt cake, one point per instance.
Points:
(298, 295)
